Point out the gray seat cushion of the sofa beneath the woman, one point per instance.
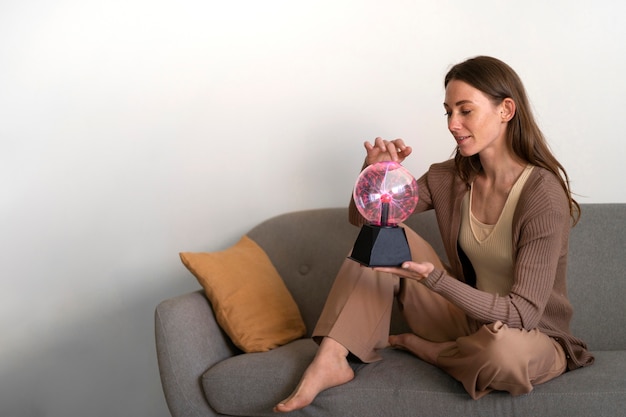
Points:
(251, 384)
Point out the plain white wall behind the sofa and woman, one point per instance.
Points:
(132, 130)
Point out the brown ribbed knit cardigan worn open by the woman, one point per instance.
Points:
(541, 225)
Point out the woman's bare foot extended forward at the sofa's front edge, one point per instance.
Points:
(329, 368)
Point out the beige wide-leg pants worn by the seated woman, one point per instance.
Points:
(492, 357)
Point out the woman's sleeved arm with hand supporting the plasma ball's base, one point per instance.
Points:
(539, 256)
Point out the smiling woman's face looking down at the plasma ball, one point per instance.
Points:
(478, 125)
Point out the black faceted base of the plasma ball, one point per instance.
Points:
(381, 246)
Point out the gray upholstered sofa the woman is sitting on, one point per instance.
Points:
(203, 374)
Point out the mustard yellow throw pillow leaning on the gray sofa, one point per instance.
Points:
(250, 300)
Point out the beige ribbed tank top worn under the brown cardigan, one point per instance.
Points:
(490, 246)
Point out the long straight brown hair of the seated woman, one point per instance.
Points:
(524, 138)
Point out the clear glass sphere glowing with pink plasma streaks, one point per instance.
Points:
(385, 193)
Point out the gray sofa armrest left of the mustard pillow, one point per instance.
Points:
(189, 341)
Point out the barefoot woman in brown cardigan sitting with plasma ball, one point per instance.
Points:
(498, 317)
